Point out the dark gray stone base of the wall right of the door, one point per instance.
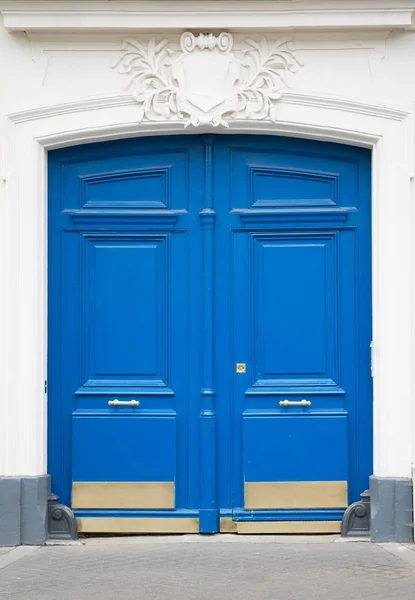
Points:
(391, 509)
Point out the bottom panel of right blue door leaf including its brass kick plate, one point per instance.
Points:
(310, 466)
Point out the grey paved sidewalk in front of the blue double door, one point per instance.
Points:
(209, 568)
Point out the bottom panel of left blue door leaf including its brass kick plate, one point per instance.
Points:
(131, 463)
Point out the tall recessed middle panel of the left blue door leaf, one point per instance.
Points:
(126, 310)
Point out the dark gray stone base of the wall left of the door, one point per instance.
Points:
(23, 510)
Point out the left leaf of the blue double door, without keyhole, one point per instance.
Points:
(120, 314)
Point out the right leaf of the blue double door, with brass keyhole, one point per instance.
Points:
(294, 217)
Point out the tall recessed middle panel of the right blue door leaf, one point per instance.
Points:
(294, 310)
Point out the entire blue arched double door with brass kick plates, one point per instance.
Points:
(209, 333)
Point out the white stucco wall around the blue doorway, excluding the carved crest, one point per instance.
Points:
(58, 87)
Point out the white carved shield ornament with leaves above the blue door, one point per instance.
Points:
(207, 83)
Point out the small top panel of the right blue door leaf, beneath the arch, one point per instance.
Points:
(293, 174)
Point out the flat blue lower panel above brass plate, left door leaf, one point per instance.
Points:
(124, 448)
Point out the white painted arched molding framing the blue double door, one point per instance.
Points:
(23, 359)
